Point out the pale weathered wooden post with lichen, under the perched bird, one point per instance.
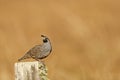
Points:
(30, 71)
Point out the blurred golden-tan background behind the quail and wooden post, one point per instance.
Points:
(85, 36)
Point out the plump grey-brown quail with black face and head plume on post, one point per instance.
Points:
(40, 51)
